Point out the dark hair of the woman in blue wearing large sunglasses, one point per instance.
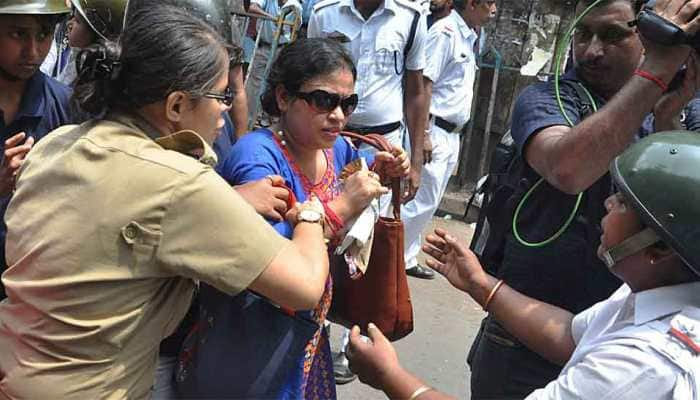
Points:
(300, 62)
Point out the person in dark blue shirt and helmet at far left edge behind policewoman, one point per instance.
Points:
(31, 103)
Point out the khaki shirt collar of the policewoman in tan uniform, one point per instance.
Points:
(186, 142)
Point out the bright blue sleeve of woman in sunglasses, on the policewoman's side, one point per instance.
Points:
(252, 158)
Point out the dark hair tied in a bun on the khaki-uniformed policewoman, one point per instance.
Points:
(162, 50)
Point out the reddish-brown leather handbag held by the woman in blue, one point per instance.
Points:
(381, 296)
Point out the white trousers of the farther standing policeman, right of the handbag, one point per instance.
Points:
(434, 179)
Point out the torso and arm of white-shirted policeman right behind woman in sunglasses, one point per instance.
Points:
(386, 40)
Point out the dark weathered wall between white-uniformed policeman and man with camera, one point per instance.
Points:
(524, 32)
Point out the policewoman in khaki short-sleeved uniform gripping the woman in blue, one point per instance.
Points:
(113, 221)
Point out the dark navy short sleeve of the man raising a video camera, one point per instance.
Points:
(537, 108)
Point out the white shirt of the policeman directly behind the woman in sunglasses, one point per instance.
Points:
(377, 47)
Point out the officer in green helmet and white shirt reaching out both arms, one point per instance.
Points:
(643, 342)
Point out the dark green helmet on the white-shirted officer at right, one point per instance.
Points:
(660, 177)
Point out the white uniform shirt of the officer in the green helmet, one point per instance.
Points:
(624, 350)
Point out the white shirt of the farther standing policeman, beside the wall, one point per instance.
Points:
(452, 68)
